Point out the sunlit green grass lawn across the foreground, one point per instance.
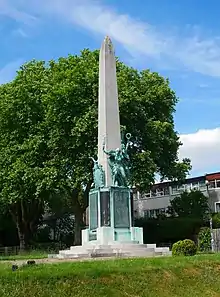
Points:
(180, 277)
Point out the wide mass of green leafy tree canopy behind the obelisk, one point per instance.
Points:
(48, 129)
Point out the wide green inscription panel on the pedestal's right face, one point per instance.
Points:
(121, 209)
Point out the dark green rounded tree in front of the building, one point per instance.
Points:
(192, 204)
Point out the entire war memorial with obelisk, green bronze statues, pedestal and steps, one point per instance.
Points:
(111, 232)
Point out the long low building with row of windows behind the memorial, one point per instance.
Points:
(158, 199)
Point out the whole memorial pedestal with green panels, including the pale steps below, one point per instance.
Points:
(110, 232)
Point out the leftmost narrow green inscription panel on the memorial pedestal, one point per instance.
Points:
(93, 211)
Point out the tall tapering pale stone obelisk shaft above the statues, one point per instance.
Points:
(108, 110)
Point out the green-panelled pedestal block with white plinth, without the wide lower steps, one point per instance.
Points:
(110, 218)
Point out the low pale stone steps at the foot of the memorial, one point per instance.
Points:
(112, 250)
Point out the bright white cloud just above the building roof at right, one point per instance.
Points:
(203, 148)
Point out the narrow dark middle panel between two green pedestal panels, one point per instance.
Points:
(105, 208)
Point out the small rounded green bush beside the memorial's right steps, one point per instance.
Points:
(185, 247)
